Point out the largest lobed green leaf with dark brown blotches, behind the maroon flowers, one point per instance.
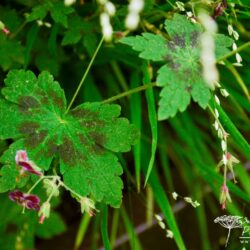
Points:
(34, 113)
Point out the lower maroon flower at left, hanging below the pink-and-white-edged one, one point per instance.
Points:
(29, 201)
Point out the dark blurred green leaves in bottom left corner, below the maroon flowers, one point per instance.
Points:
(26, 226)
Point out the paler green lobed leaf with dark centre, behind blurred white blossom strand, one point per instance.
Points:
(180, 76)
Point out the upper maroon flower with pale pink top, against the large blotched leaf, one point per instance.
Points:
(23, 161)
